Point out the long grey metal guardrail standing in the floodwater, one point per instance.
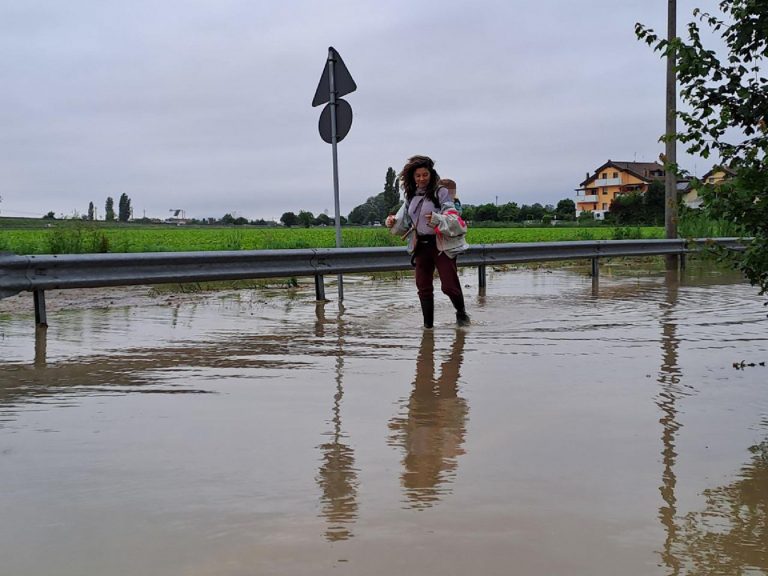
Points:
(46, 272)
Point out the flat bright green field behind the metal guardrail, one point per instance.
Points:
(64, 237)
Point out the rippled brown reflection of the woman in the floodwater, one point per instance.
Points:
(432, 430)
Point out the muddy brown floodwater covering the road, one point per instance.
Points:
(567, 431)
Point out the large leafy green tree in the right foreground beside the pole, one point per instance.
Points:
(727, 98)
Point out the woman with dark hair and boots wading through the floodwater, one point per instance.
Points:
(425, 199)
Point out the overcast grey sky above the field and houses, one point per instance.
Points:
(205, 105)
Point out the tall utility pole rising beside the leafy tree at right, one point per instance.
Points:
(670, 179)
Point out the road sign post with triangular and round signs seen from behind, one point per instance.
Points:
(335, 121)
